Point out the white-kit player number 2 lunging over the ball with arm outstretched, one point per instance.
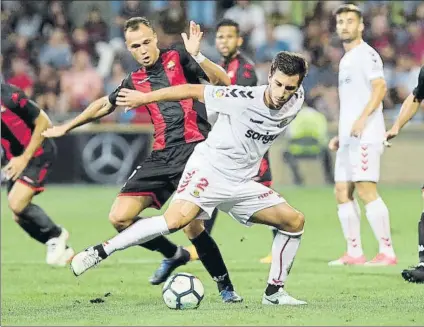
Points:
(219, 173)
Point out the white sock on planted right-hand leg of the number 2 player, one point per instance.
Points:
(284, 249)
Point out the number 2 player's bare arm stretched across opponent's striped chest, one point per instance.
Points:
(133, 99)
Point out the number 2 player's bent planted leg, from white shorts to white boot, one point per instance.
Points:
(259, 204)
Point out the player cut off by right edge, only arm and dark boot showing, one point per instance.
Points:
(408, 110)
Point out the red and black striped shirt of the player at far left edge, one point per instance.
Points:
(18, 114)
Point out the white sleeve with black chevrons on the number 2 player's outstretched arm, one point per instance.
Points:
(229, 100)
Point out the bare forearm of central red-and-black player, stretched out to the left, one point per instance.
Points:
(97, 109)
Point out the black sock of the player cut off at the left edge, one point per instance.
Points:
(37, 224)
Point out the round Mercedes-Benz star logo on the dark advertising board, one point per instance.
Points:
(109, 158)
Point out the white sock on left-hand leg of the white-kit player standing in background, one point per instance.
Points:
(350, 218)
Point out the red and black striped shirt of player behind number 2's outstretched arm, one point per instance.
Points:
(178, 122)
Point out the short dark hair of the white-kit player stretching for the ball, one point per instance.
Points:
(290, 63)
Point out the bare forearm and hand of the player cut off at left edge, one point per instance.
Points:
(17, 165)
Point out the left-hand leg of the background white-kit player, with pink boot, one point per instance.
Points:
(348, 211)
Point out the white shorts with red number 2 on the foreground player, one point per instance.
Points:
(209, 189)
